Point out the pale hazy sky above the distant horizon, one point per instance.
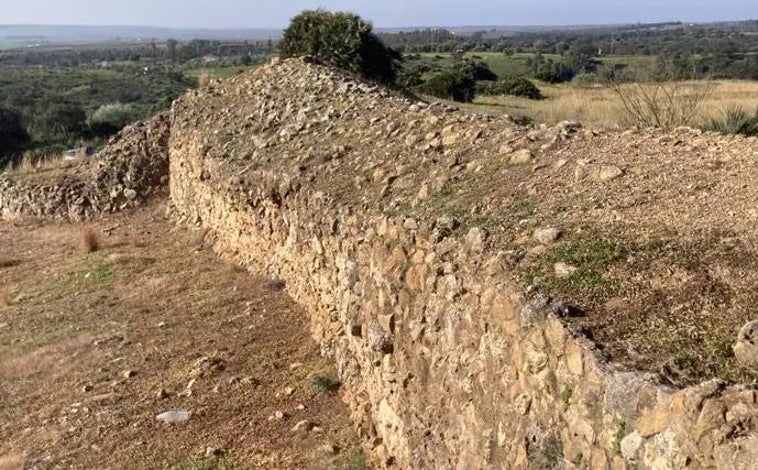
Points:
(384, 13)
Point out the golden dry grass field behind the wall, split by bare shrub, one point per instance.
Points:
(599, 106)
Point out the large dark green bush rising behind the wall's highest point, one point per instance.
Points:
(342, 40)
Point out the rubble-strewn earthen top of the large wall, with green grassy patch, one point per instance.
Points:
(656, 252)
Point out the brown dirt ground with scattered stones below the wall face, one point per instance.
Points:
(93, 346)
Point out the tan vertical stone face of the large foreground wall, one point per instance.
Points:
(447, 365)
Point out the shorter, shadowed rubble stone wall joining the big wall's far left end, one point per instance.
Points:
(130, 170)
